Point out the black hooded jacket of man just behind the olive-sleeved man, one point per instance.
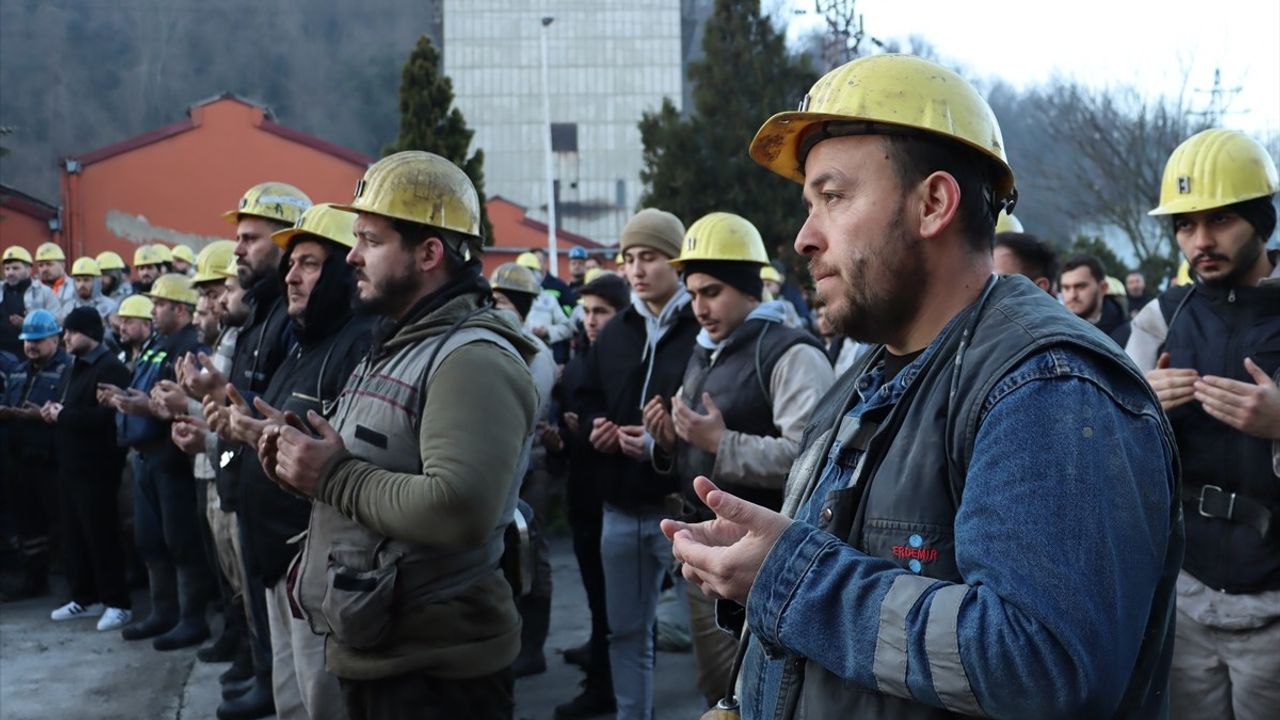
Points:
(330, 343)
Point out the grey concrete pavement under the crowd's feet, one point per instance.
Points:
(53, 671)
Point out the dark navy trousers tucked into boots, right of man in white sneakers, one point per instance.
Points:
(166, 523)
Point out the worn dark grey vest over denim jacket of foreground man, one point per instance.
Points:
(916, 479)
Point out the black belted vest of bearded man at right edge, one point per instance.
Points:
(1214, 331)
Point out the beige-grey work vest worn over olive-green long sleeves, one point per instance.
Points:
(351, 581)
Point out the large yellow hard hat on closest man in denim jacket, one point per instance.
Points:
(886, 94)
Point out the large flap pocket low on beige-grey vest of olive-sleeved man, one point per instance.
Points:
(360, 590)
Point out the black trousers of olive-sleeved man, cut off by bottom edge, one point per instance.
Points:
(431, 699)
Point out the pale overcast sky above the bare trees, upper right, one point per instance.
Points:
(1151, 45)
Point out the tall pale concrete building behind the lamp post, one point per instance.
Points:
(610, 61)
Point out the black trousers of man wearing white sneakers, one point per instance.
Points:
(92, 534)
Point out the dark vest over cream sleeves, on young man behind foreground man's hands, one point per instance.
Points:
(739, 384)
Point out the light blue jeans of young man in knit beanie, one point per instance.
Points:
(637, 557)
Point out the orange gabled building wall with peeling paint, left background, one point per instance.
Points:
(173, 185)
